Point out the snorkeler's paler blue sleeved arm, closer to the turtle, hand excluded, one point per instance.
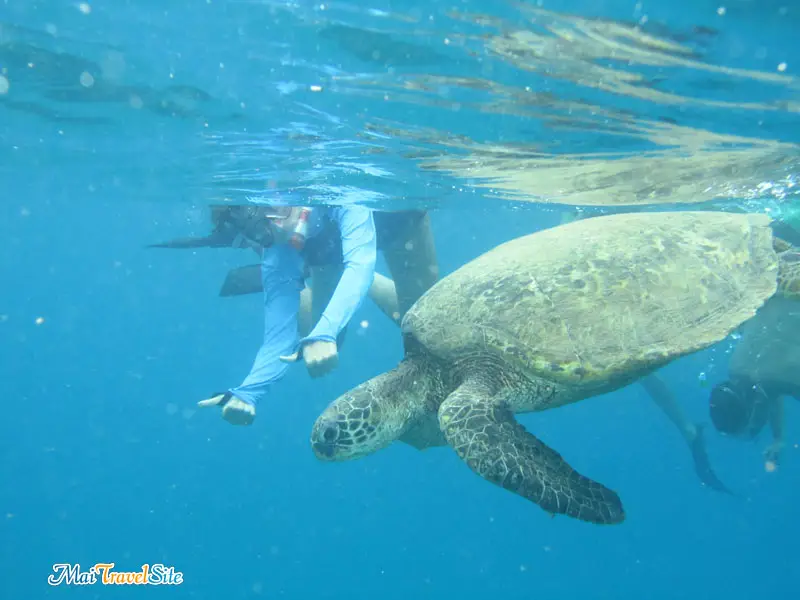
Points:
(359, 252)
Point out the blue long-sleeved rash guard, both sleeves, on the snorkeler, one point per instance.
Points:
(282, 276)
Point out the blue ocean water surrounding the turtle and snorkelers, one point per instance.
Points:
(120, 122)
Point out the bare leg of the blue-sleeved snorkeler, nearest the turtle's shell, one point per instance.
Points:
(406, 240)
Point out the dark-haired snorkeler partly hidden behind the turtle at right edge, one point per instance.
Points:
(764, 368)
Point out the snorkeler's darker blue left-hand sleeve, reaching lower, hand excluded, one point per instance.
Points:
(282, 273)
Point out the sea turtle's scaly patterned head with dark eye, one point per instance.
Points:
(371, 416)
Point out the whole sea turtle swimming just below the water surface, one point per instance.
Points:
(549, 319)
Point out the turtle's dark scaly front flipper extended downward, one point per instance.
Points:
(485, 435)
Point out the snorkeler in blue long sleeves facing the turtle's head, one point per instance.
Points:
(336, 248)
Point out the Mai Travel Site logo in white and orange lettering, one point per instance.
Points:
(157, 574)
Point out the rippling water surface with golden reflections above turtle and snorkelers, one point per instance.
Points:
(418, 103)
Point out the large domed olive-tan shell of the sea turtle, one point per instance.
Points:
(602, 298)
